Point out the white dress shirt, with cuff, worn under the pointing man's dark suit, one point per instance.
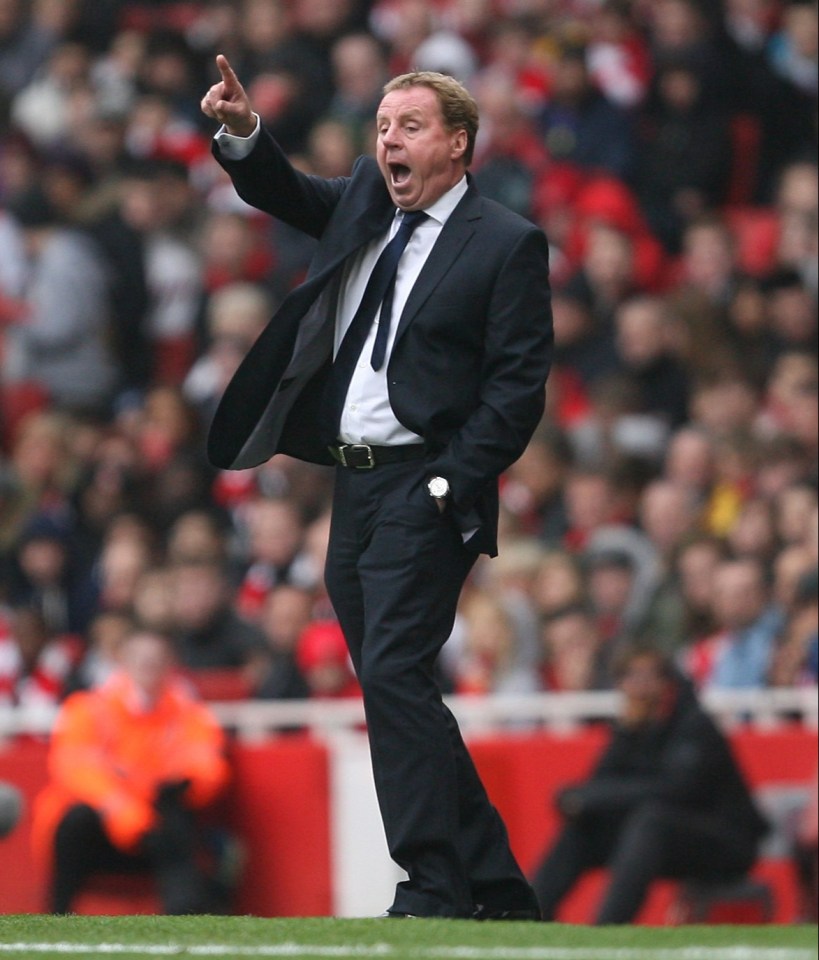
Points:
(367, 416)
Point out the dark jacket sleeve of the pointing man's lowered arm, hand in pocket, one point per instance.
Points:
(516, 361)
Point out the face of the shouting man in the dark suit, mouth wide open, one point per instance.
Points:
(419, 158)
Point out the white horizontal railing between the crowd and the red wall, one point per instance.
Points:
(477, 715)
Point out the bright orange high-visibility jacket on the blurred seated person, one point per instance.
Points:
(111, 751)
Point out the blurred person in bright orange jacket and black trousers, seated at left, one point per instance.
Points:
(130, 764)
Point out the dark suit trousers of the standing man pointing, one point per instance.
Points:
(395, 569)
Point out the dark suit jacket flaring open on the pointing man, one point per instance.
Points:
(472, 348)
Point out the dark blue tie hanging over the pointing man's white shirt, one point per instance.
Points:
(379, 292)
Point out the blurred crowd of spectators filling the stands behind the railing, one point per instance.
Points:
(669, 499)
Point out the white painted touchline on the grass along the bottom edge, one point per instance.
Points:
(91, 950)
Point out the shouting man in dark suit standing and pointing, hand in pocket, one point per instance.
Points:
(415, 356)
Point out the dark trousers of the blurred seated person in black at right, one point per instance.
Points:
(655, 840)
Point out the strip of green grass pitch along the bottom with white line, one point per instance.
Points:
(235, 938)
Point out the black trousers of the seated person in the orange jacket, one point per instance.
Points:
(82, 848)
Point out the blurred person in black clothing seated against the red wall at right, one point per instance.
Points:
(666, 800)
